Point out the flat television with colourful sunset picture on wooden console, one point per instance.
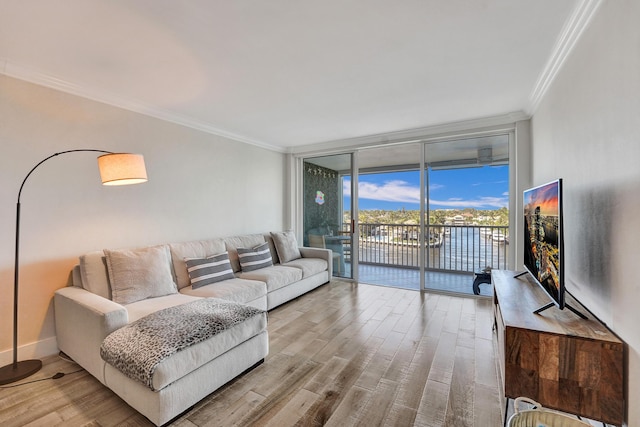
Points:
(543, 242)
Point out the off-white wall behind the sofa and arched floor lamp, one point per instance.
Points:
(200, 186)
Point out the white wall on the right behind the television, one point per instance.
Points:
(587, 131)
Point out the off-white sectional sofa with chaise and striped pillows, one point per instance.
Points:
(113, 292)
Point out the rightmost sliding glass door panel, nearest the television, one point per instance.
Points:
(467, 195)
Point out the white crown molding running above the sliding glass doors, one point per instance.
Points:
(474, 127)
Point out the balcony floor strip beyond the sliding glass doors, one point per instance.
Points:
(461, 283)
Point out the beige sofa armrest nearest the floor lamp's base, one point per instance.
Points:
(83, 320)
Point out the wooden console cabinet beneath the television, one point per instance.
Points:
(556, 358)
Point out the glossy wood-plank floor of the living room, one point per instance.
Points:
(342, 355)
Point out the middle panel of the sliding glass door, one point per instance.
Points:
(389, 216)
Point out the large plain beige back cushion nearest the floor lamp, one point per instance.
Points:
(137, 274)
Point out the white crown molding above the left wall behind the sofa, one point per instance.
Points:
(30, 75)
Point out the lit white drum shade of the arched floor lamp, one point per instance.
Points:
(122, 169)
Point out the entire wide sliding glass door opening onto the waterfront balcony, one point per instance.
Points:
(420, 215)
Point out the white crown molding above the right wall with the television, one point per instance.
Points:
(573, 29)
